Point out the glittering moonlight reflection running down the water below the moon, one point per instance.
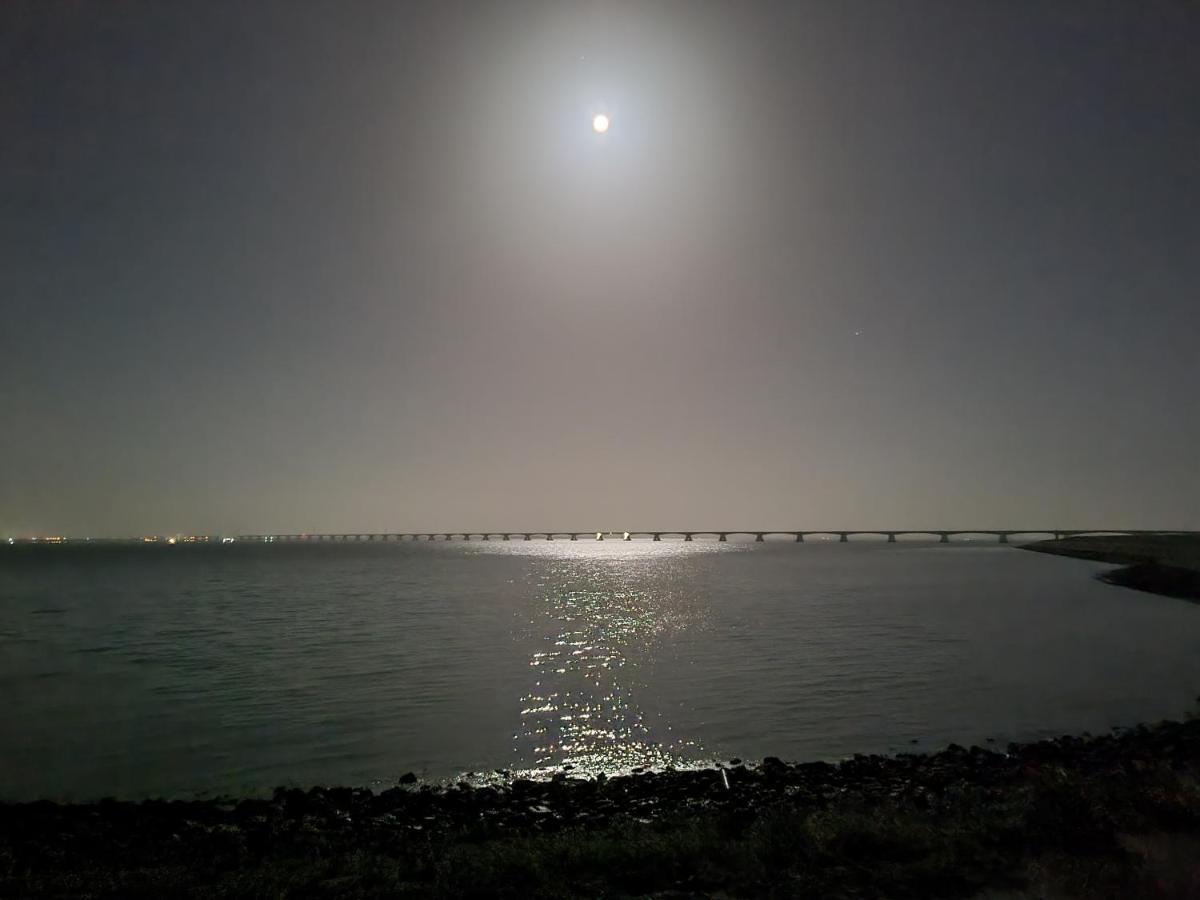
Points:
(601, 616)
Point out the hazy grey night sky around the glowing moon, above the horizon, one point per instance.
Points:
(365, 266)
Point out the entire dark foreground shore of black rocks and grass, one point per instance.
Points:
(1113, 817)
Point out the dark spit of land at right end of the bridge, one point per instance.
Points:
(1159, 563)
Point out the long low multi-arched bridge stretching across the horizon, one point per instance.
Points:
(943, 536)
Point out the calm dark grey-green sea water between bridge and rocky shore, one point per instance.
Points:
(155, 671)
